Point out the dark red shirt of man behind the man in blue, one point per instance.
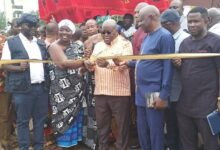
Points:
(138, 38)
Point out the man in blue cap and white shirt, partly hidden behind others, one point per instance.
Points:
(170, 20)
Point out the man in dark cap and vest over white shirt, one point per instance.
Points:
(27, 82)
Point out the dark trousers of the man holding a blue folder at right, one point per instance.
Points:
(188, 130)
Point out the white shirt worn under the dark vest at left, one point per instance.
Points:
(33, 51)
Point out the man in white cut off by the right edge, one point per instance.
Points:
(214, 20)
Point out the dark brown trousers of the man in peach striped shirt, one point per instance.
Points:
(107, 107)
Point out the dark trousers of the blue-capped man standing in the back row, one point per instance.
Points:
(172, 137)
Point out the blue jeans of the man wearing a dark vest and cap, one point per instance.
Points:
(33, 104)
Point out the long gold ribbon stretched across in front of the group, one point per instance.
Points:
(126, 58)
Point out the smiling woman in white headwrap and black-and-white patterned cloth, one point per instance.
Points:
(67, 87)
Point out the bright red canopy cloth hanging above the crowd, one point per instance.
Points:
(80, 10)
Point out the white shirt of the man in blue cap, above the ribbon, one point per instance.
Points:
(179, 36)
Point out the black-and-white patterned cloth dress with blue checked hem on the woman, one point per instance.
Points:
(66, 97)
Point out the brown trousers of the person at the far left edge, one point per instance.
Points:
(5, 120)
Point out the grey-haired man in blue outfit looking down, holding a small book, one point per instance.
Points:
(153, 80)
